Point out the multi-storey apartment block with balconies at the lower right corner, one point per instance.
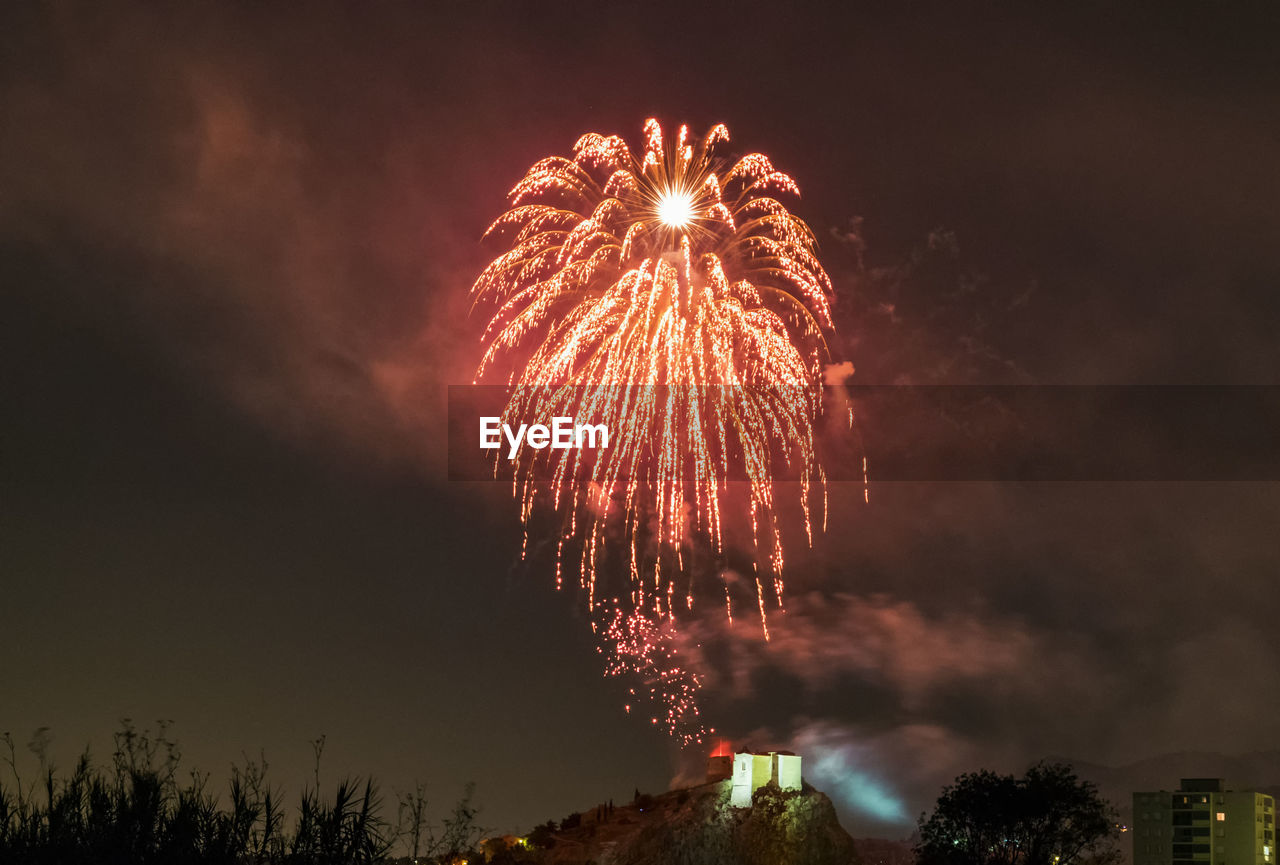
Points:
(1203, 823)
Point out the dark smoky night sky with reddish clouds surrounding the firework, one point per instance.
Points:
(236, 245)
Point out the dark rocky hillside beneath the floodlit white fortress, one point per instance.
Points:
(697, 826)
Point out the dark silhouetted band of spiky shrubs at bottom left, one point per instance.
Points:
(136, 813)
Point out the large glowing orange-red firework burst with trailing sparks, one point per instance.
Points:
(675, 299)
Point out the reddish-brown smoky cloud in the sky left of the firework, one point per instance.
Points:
(317, 281)
